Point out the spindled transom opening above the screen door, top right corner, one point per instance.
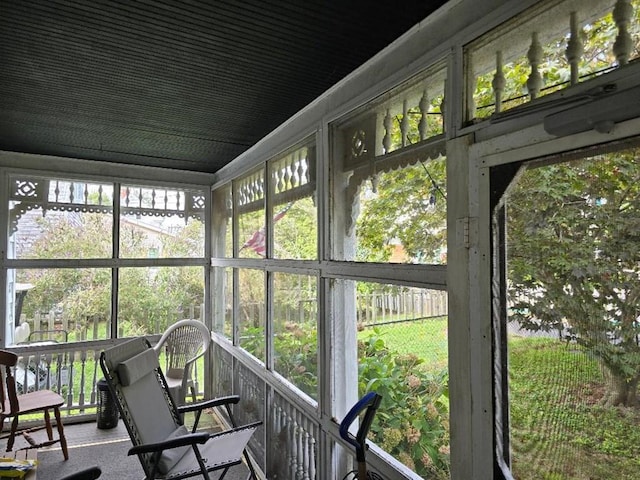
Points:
(572, 43)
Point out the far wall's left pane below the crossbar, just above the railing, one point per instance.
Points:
(64, 304)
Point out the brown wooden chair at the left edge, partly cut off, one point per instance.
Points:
(14, 405)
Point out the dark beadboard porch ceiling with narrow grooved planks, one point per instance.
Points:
(180, 84)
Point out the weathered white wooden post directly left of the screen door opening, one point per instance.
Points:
(470, 373)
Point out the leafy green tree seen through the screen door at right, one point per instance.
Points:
(574, 260)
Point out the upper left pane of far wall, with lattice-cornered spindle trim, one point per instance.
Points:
(51, 219)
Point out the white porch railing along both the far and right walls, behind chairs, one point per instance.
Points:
(286, 447)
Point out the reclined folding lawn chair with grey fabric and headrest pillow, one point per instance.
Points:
(166, 449)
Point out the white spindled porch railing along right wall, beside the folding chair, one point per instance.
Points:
(289, 444)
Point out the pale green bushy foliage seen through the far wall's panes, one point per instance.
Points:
(148, 297)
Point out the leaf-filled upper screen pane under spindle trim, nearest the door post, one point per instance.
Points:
(403, 216)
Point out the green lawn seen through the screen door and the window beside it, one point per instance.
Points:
(559, 429)
